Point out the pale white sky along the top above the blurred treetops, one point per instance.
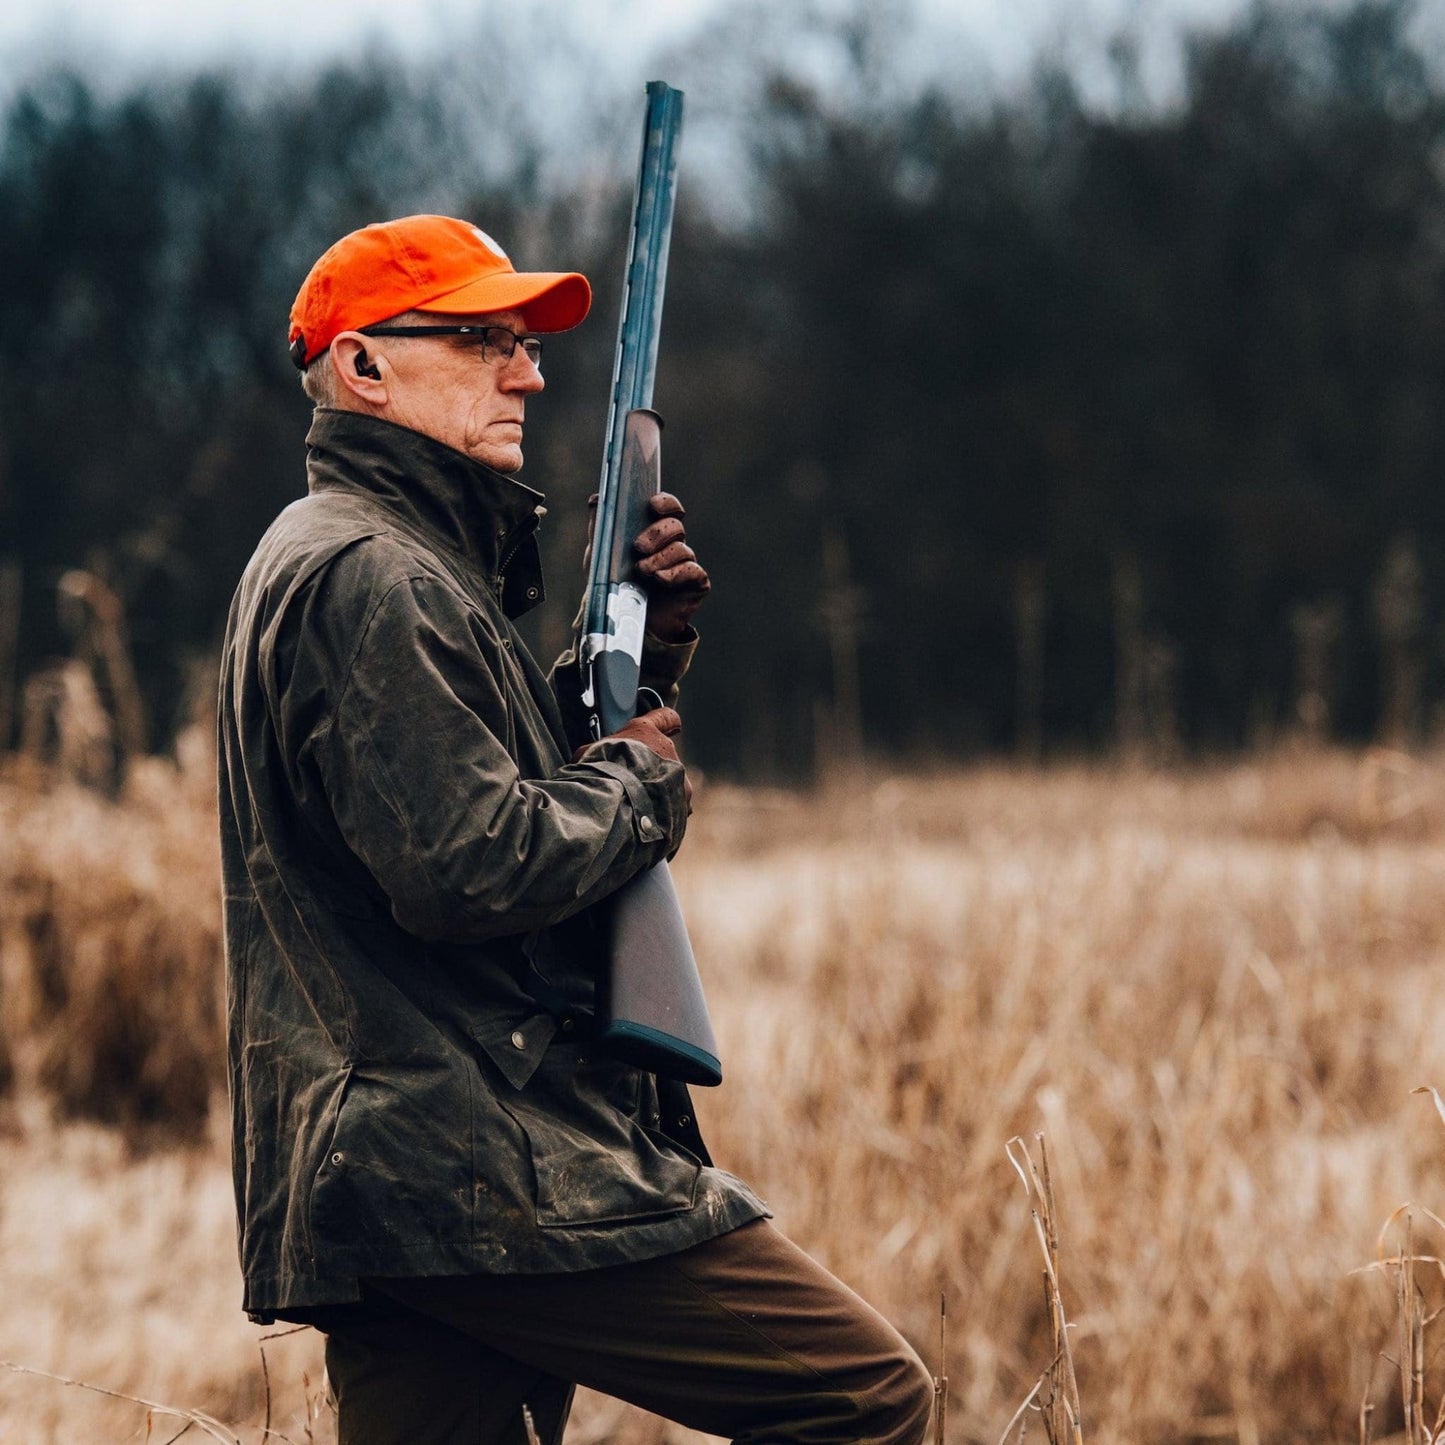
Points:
(980, 47)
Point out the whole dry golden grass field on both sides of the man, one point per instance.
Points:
(1212, 991)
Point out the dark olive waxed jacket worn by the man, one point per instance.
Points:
(410, 859)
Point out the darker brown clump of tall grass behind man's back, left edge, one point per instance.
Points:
(111, 943)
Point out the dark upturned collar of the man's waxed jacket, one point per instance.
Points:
(483, 517)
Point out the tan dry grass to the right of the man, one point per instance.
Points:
(1213, 993)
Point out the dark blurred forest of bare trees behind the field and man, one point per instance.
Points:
(1056, 421)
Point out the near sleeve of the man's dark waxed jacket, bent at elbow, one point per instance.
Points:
(426, 791)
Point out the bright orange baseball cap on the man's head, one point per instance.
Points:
(424, 264)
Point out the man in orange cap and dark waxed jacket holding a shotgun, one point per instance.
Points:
(433, 1161)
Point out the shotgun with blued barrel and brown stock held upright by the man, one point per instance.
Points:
(651, 1006)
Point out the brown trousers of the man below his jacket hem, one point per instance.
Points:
(743, 1336)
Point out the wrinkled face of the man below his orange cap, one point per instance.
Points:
(441, 387)
